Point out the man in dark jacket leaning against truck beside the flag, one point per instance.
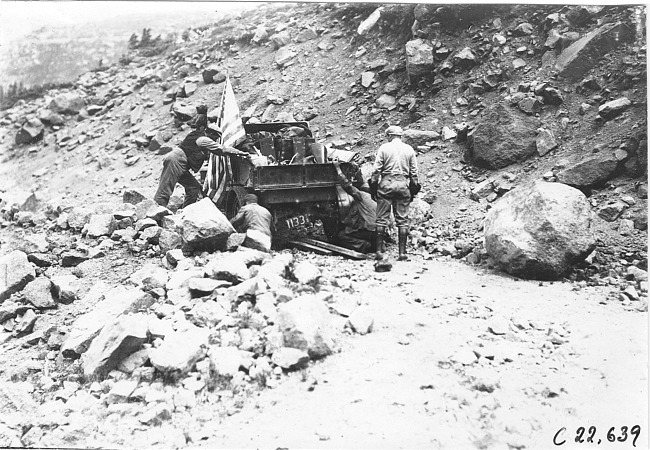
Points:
(191, 154)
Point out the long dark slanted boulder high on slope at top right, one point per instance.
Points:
(584, 54)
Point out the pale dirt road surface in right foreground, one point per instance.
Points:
(563, 358)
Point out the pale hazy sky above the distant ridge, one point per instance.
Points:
(18, 18)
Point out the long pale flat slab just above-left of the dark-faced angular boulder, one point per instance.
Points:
(111, 304)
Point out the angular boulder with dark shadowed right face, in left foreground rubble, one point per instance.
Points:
(116, 341)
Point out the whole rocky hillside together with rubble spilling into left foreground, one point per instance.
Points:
(491, 97)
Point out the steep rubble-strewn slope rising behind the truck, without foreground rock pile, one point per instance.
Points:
(321, 79)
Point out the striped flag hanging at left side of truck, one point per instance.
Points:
(219, 170)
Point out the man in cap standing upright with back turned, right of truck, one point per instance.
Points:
(393, 183)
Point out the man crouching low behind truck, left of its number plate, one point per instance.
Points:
(256, 221)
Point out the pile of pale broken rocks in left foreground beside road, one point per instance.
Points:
(228, 321)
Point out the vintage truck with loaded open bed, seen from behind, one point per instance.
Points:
(293, 178)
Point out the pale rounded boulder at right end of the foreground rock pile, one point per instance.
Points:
(306, 324)
